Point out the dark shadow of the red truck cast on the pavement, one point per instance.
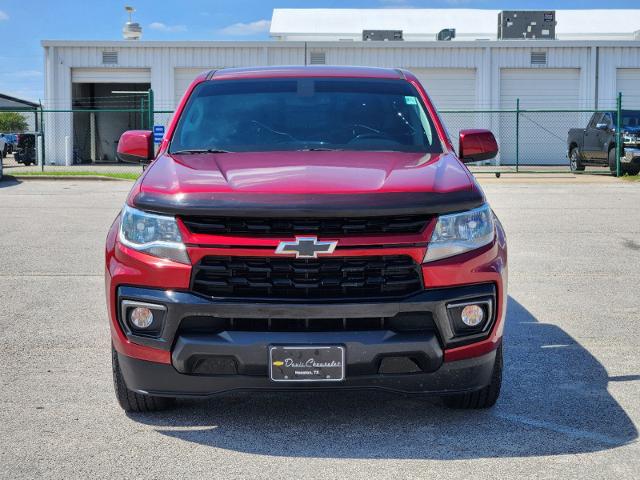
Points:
(554, 401)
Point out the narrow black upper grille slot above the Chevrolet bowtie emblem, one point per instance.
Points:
(297, 226)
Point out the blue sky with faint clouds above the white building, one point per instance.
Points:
(24, 23)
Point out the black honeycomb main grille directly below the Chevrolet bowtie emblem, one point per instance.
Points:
(323, 278)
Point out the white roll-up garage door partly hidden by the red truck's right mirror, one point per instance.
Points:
(451, 89)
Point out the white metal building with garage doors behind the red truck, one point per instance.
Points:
(464, 74)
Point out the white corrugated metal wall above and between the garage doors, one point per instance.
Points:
(488, 59)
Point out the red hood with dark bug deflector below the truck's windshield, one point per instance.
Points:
(305, 182)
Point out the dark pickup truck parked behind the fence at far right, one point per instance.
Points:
(596, 144)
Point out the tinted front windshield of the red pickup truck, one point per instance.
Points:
(305, 114)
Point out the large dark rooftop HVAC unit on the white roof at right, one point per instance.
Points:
(526, 24)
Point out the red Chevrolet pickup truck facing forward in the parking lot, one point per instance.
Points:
(306, 228)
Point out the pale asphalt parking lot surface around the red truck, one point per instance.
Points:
(570, 406)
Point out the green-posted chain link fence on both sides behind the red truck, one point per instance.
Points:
(83, 140)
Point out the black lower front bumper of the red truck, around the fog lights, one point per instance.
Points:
(247, 351)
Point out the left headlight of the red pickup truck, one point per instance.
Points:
(155, 235)
